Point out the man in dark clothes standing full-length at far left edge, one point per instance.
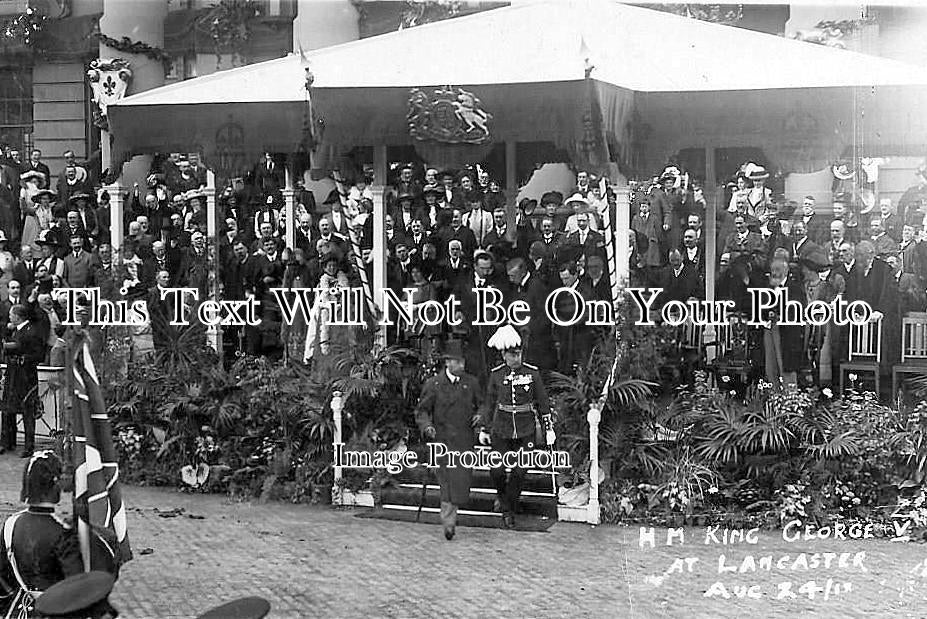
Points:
(24, 351)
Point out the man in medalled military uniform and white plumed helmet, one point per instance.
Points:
(516, 399)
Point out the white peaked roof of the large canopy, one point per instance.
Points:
(631, 47)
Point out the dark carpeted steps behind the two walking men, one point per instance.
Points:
(538, 496)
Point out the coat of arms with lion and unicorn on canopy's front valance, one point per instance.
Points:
(451, 115)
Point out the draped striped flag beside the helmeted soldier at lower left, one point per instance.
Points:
(98, 506)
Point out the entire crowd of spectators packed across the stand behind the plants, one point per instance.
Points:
(447, 232)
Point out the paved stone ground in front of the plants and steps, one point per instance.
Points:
(318, 561)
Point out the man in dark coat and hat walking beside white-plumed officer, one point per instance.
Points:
(445, 414)
